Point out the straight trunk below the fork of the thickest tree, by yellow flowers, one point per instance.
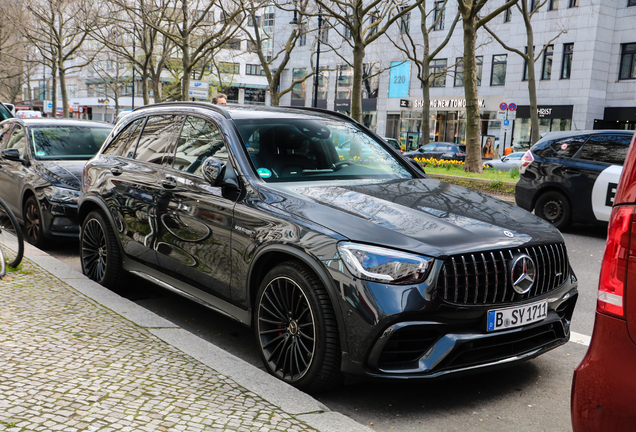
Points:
(473, 119)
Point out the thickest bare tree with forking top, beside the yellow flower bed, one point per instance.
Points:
(472, 21)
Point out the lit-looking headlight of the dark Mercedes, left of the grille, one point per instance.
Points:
(384, 265)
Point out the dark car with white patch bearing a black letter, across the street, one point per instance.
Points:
(572, 176)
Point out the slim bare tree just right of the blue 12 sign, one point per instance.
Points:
(421, 55)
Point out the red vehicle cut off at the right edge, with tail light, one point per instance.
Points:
(604, 384)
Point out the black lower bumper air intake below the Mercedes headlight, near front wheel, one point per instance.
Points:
(406, 345)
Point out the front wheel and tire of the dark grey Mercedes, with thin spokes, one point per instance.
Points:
(299, 345)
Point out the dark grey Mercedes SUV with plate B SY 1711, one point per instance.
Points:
(360, 267)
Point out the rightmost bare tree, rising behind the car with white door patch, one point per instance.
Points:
(530, 59)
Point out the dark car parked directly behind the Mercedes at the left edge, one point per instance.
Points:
(41, 162)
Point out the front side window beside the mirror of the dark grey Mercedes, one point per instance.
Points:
(199, 140)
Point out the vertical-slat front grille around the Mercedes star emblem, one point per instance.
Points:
(484, 277)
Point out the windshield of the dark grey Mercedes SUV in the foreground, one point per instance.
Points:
(308, 150)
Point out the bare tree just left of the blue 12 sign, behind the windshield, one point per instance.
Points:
(364, 22)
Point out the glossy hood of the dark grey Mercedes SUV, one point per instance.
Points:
(420, 215)
